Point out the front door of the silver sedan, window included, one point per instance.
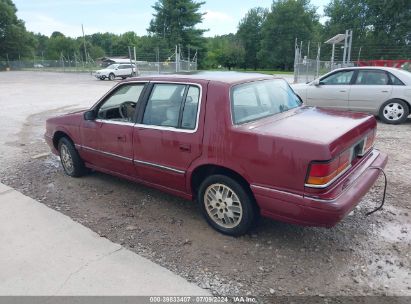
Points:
(332, 91)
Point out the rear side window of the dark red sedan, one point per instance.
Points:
(172, 105)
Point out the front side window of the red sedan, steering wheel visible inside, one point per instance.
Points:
(121, 104)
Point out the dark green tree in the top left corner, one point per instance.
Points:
(15, 41)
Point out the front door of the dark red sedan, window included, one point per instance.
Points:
(108, 140)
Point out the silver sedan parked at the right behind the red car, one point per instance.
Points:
(381, 91)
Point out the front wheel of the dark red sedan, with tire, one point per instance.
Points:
(72, 164)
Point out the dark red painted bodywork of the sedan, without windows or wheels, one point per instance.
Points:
(271, 154)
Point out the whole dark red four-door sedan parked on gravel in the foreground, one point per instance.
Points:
(239, 144)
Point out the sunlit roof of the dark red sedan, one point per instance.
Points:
(224, 77)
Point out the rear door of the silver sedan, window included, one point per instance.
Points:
(370, 89)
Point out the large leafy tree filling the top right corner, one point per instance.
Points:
(381, 27)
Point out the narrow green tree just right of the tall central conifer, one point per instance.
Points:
(249, 33)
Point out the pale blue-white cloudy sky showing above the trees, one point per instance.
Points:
(114, 16)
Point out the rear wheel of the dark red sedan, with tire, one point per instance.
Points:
(226, 205)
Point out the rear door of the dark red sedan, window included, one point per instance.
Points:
(167, 139)
